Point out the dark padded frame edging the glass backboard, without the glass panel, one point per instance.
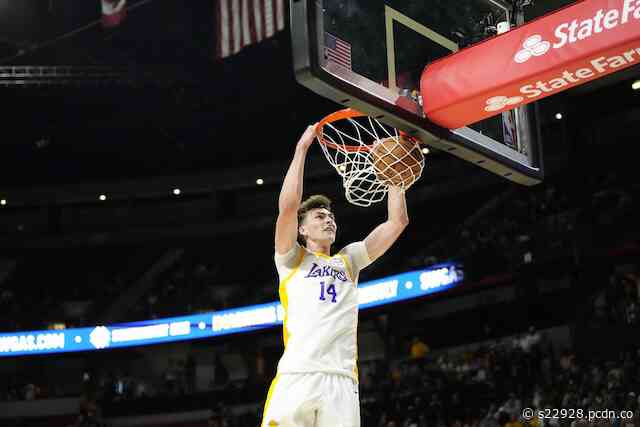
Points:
(347, 88)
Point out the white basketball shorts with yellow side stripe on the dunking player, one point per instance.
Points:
(312, 400)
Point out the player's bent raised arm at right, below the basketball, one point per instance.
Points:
(385, 235)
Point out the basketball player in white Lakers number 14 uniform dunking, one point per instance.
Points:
(317, 380)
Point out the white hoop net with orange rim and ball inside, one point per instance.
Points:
(370, 156)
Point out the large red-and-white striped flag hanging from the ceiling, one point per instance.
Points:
(240, 23)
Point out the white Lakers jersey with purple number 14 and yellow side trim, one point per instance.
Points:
(320, 297)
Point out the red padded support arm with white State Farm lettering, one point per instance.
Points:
(574, 45)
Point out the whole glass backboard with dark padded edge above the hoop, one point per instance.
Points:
(370, 54)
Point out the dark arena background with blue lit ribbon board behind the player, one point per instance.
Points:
(140, 167)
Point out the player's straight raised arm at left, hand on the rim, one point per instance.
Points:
(291, 195)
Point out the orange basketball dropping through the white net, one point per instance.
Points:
(397, 162)
